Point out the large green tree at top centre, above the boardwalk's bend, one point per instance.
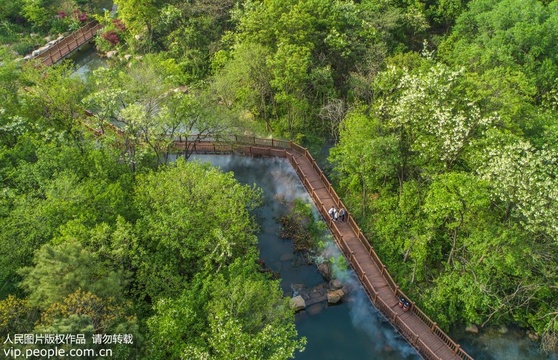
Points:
(310, 49)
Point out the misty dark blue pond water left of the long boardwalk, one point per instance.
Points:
(351, 330)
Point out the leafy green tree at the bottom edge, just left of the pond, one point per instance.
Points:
(236, 314)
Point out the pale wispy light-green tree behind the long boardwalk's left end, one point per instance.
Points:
(144, 120)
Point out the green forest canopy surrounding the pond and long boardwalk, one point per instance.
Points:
(444, 118)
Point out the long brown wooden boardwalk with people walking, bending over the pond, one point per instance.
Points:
(419, 330)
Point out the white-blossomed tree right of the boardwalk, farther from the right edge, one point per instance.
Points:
(433, 113)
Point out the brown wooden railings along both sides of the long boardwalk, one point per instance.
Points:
(272, 147)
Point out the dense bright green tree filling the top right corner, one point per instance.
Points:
(514, 34)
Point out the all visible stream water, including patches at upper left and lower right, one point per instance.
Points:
(353, 329)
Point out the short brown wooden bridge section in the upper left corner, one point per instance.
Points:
(67, 45)
